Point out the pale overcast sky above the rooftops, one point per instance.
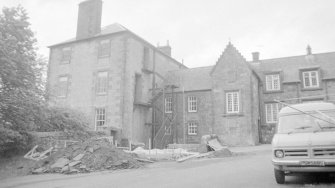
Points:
(199, 30)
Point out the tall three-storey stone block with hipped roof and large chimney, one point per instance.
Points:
(109, 74)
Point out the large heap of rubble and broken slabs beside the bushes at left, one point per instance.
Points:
(95, 154)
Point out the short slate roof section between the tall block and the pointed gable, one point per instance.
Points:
(192, 79)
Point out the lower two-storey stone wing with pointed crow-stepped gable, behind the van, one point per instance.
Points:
(236, 99)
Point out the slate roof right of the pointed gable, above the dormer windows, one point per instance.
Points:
(290, 66)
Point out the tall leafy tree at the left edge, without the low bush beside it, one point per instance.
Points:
(21, 93)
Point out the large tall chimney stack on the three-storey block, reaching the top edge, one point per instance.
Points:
(89, 18)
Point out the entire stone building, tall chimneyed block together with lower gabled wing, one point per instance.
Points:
(133, 90)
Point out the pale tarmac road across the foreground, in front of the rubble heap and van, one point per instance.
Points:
(251, 170)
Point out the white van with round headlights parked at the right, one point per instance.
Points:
(305, 140)
